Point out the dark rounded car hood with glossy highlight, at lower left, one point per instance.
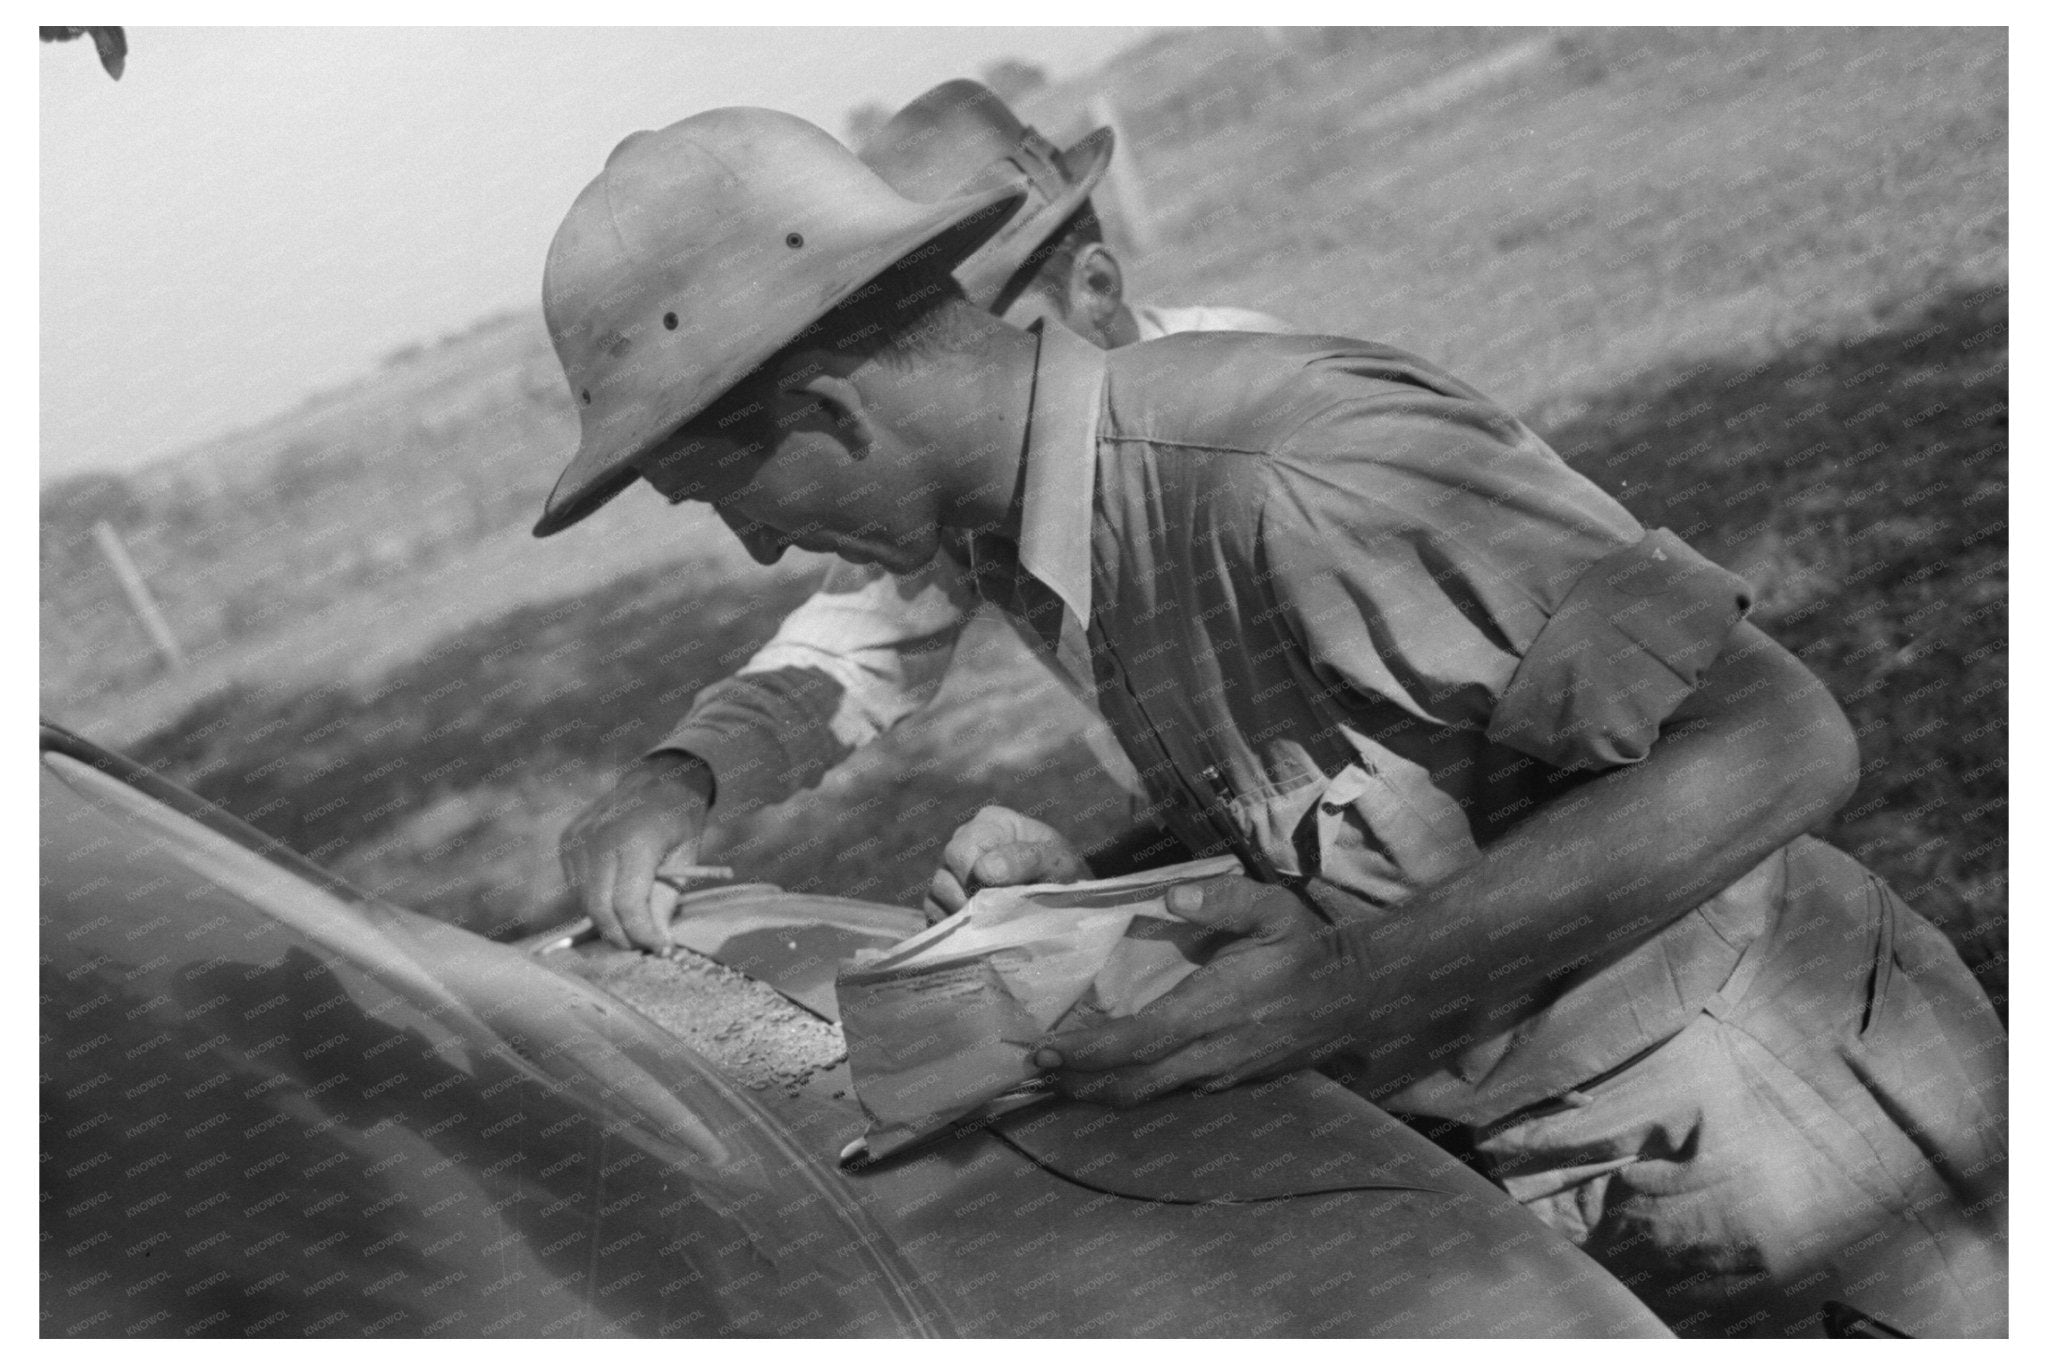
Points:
(392, 1114)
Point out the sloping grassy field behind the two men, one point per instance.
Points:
(1750, 281)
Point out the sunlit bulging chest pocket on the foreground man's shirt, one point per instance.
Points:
(1385, 828)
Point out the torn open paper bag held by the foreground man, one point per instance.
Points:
(943, 1026)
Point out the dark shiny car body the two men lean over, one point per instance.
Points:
(280, 1108)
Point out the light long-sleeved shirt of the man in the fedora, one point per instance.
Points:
(867, 652)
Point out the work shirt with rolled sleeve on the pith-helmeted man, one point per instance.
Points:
(1353, 621)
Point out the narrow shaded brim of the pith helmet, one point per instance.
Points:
(949, 232)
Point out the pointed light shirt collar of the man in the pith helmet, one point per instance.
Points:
(1060, 468)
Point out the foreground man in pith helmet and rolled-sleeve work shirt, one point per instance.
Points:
(1521, 795)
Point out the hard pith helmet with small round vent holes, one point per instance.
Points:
(701, 251)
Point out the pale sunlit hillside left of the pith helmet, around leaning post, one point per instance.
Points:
(341, 539)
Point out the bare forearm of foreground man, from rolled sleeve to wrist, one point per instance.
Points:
(1592, 875)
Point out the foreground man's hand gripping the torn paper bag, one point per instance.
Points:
(1277, 998)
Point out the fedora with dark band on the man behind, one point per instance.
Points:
(962, 136)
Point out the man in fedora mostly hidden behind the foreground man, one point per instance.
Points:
(871, 648)
